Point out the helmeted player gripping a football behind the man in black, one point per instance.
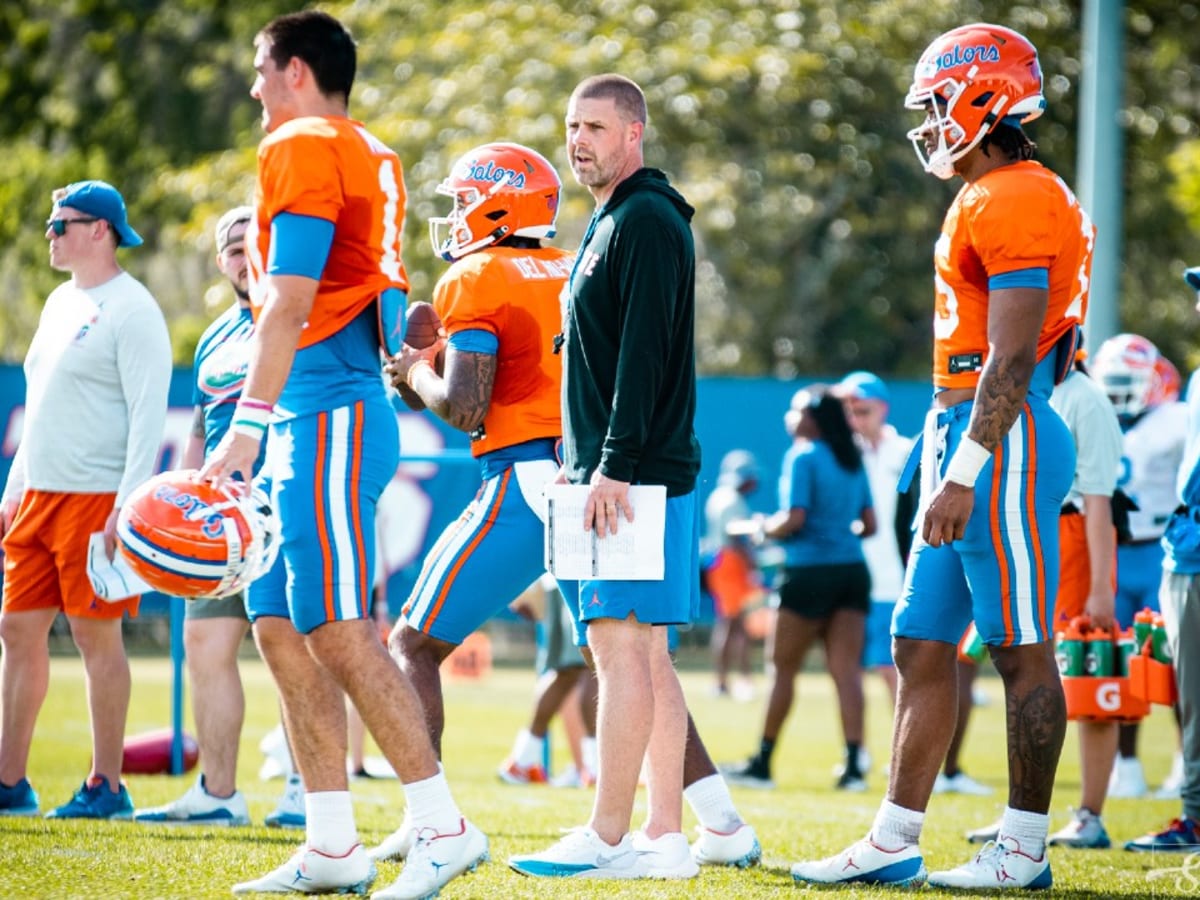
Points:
(500, 308)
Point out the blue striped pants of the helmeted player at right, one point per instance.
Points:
(1004, 573)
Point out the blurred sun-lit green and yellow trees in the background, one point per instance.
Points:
(782, 122)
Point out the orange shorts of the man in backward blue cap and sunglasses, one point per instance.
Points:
(46, 556)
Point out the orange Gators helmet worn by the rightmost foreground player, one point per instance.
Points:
(968, 82)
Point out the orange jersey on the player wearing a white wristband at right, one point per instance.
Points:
(1016, 218)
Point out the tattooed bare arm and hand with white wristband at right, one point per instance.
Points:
(1015, 322)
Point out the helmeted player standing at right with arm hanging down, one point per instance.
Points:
(1012, 268)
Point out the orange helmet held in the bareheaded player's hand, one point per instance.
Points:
(190, 539)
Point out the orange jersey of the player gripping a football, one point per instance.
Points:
(514, 295)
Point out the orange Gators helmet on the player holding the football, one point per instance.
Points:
(500, 191)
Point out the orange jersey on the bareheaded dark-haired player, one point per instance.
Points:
(333, 170)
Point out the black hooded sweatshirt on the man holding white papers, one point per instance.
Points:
(629, 376)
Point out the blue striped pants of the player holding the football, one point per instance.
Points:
(487, 557)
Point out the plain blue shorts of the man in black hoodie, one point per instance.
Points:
(673, 602)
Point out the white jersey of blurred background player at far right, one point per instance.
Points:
(1150, 465)
